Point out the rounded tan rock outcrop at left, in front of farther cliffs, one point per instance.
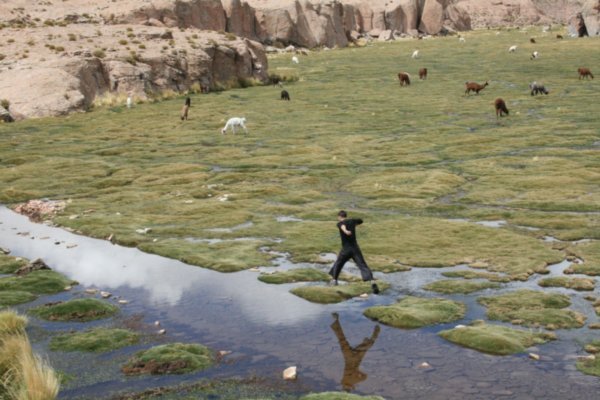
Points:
(50, 82)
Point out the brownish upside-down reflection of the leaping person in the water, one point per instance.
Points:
(353, 356)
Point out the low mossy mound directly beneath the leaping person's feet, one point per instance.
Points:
(336, 294)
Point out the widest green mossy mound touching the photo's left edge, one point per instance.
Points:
(37, 282)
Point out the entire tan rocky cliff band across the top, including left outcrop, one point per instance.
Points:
(67, 53)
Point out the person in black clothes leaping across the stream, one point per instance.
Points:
(350, 250)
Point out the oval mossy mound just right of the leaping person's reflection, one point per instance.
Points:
(416, 312)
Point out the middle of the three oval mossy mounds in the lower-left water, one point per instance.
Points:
(97, 340)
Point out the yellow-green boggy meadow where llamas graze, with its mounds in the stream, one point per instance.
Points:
(438, 179)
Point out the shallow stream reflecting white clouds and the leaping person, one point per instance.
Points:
(268, 329)
